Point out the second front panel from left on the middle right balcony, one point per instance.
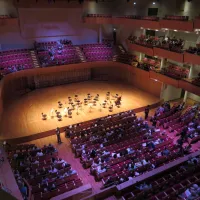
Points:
(164, 53)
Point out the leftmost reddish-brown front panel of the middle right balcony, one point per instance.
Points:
(139, 48)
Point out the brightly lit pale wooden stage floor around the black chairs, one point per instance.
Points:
(23, 116)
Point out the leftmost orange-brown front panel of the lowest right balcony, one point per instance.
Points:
(163, 78)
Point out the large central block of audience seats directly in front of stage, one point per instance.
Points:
(120, 146)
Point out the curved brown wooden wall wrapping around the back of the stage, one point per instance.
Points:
(15, 84)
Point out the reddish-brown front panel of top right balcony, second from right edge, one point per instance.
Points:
(177, 25)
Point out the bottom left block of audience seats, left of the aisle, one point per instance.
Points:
(40, 173)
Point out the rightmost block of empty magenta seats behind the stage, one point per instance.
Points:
(97, 52)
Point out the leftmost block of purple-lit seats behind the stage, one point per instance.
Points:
(15, 60)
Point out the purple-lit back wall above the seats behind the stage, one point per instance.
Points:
(47, 24)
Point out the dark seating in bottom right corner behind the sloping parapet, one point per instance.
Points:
(175, 183)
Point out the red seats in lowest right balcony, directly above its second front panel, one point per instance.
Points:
(176, 72)
